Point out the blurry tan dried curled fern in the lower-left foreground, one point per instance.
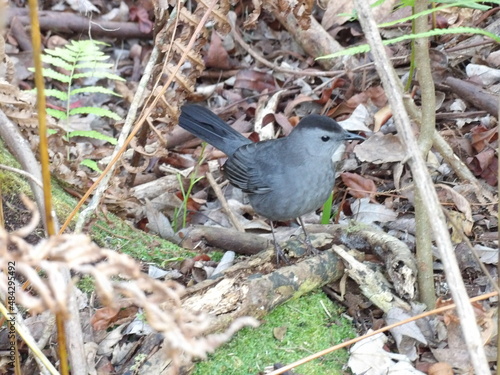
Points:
(117, 276)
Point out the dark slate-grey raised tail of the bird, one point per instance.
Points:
(207, 126)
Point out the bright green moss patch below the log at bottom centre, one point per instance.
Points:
(308, 330)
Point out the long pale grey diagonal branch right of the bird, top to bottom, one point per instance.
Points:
(426, 189)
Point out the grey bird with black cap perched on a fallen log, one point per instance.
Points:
(285, 177)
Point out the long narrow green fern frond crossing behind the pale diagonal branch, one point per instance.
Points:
(458, 30)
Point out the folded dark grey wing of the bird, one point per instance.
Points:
(244, 170)
